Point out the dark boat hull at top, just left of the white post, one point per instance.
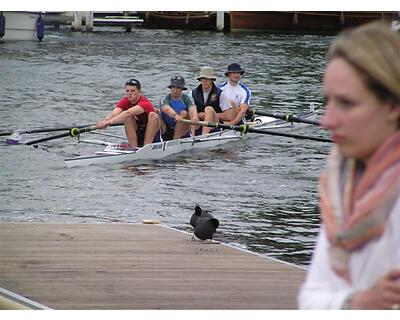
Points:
(186, 20)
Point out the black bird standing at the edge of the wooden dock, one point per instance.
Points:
(204, 224)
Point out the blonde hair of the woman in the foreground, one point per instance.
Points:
(374, 52)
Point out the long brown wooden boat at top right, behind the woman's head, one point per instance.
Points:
(304, 21)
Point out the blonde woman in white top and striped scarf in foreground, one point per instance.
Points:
(356, 262)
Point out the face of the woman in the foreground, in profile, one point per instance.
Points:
(359, 122)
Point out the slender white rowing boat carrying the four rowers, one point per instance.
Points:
(113, 153)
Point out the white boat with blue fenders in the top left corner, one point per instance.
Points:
(21, 25)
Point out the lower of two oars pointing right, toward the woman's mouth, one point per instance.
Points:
(246, 128)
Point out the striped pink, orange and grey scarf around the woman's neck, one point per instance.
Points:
(356, 213)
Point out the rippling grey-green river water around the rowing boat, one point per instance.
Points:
(264, 191)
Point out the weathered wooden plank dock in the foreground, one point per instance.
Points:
(138, 266)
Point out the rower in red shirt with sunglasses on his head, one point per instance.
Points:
(141, 120)
